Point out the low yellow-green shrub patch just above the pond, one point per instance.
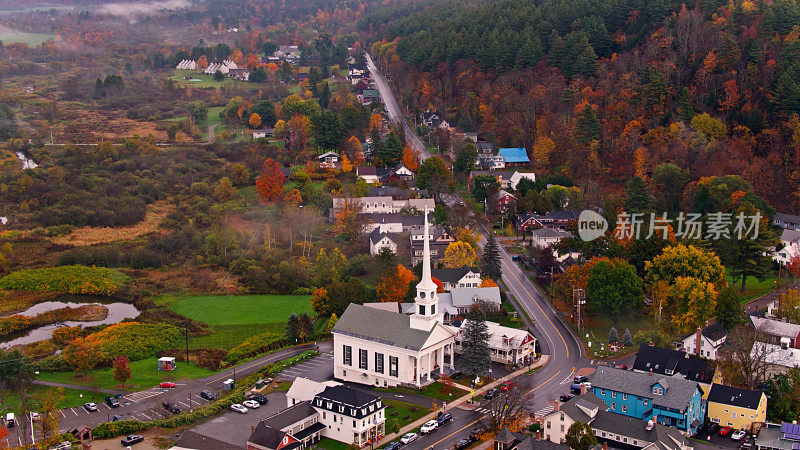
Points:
(73, 279)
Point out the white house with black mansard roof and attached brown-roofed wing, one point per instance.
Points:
(338, 412)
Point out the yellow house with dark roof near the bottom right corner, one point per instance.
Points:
(736, 408)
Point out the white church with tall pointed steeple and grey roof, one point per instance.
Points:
(385, 348)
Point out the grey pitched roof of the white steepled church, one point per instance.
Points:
(380, 326)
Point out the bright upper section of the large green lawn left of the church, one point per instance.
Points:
(242, 309)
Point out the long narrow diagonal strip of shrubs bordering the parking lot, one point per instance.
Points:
(112, 429)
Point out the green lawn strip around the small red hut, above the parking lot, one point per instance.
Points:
(144, 375)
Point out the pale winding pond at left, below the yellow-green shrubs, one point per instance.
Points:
(117, 312)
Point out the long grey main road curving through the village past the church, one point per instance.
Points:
(555, 337)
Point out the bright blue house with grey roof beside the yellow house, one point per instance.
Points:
(670, 401)
